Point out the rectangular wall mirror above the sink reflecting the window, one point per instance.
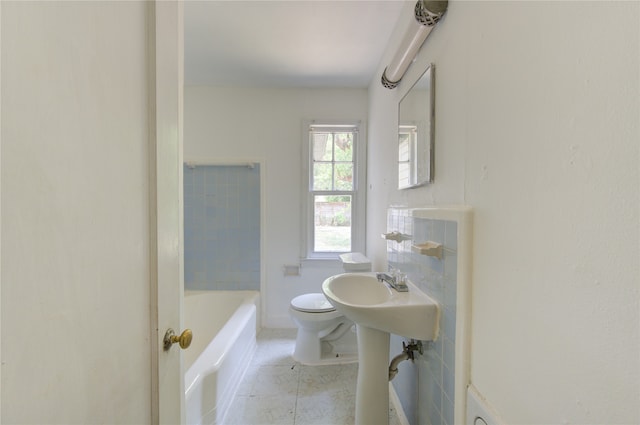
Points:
(416, 133)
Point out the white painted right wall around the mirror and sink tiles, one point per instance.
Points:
(537, 110)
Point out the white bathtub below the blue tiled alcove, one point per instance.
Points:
(224, 325)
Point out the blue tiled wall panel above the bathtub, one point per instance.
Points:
(222, 227)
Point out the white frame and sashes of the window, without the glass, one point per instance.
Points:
(358, 191)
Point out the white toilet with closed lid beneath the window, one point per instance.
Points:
(325, 336)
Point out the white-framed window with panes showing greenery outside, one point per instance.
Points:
(334, 210)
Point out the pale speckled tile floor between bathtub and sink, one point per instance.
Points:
(276, 390)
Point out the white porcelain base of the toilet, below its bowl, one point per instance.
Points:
(311, 351)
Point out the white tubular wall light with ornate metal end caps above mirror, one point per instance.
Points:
(427, 14)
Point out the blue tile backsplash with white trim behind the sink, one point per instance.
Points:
(426, 388)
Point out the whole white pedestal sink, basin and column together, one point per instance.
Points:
(379, 310)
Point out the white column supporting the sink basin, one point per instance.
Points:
(372, 391)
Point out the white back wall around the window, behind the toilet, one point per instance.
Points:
(266, 125)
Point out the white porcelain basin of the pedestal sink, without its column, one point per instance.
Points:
(373, 304)
